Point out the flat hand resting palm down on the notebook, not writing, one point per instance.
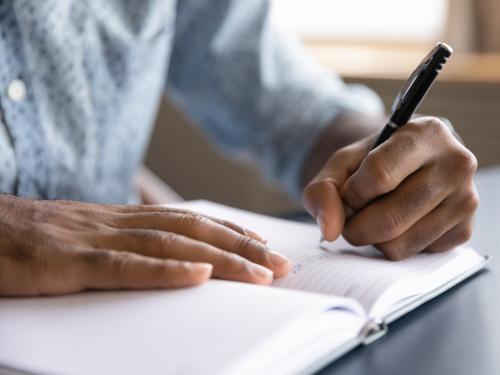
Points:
(58, 247)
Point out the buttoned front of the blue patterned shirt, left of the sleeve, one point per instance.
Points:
(94, 72)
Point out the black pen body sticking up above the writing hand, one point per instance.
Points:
(415, 89)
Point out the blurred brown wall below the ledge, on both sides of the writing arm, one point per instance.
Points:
(180, 155)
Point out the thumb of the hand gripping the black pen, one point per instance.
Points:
(321, 197)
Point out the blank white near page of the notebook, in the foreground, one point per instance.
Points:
(200, 330)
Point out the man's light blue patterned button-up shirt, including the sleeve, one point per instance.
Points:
(81, 80)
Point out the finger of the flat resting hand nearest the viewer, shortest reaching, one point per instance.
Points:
(110, 269)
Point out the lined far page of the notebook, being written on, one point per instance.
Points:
(340, 269)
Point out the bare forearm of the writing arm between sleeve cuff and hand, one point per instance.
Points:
(343, 130)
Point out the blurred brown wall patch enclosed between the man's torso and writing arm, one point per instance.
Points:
(182, 157)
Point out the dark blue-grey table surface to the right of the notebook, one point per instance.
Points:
(456, 333)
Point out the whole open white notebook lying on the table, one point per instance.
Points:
(335, 298)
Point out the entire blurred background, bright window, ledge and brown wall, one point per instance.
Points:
(377, 43)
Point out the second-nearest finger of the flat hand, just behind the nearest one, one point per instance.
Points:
(159, 244)
